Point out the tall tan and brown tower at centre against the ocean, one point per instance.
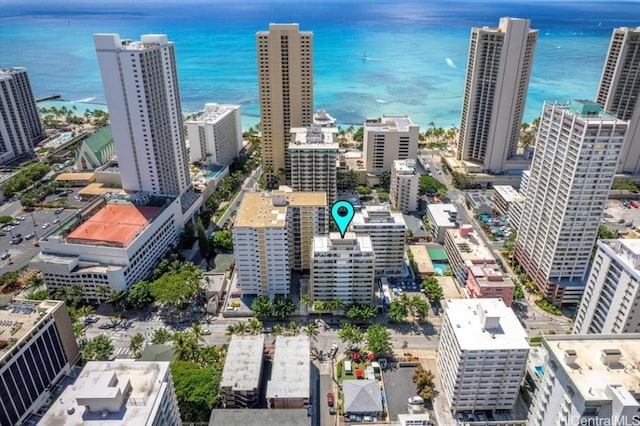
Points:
(285, 80)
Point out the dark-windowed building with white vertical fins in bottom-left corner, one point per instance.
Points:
(37, 349)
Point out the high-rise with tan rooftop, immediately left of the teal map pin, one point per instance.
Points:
(272, 234)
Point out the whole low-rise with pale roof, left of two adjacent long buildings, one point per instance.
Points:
(242, 372)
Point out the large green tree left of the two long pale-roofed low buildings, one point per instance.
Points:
(196, 388)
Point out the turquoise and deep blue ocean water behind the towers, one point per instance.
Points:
(416, 51)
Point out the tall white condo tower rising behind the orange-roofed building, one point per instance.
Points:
(141, 87)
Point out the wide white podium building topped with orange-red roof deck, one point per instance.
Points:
(114, 242)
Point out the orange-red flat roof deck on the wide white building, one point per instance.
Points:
(114, 225)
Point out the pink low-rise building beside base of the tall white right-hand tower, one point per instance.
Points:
(488, 282)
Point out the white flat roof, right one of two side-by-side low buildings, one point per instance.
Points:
(291, 372)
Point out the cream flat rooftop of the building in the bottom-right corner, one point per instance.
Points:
(589, 374)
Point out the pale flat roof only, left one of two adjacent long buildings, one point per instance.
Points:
(243, 364)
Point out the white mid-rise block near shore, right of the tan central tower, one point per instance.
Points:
(386, 139)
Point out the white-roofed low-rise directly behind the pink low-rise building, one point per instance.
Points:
(464, 249)
